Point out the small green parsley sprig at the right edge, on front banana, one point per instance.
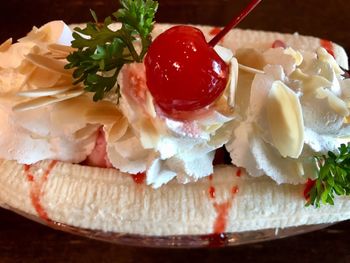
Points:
(333, 177)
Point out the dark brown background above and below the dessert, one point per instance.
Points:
(24, 241)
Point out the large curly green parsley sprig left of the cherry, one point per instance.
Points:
(102, 52)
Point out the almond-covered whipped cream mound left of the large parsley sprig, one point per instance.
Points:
(33, 67)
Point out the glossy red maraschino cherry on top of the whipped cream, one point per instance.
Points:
(184, 73)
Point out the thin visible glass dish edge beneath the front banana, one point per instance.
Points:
(184, 241)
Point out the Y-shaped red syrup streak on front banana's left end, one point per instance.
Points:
(36, 189)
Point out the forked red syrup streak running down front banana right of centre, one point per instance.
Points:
(219, 238)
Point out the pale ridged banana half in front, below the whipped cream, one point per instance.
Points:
(110, 201)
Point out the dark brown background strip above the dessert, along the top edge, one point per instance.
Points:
(323, 18)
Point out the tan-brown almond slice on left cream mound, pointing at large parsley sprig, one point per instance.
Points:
(48, 63)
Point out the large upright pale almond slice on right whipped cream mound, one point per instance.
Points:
(285, 119)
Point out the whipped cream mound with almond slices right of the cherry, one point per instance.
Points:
(297, 107)
